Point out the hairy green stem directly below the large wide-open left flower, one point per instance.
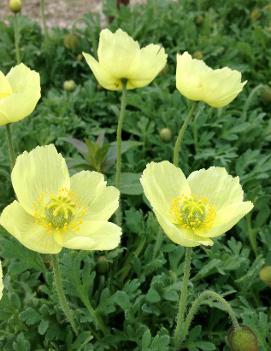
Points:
(60, 292)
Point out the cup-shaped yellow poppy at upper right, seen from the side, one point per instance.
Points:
(198, 82)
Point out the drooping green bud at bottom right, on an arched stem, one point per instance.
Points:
(243, 339)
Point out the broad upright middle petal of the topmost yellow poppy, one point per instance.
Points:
(117, 52)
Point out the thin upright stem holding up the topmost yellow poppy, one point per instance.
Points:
(119, 131)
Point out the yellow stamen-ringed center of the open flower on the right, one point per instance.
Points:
(192, 212)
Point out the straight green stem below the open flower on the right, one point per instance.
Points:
(183, 297)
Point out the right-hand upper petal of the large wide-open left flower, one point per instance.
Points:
(101, 201)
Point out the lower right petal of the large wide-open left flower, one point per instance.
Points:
(92, 235)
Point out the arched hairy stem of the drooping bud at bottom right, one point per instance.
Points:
(204, 298)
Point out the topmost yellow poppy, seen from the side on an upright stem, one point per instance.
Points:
(120, 58)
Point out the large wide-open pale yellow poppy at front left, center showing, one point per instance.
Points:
(54, 210)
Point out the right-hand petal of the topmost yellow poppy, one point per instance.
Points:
(150, 62)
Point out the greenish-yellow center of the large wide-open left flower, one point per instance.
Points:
(60, 211)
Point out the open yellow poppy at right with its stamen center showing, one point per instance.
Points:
(192, 211)
